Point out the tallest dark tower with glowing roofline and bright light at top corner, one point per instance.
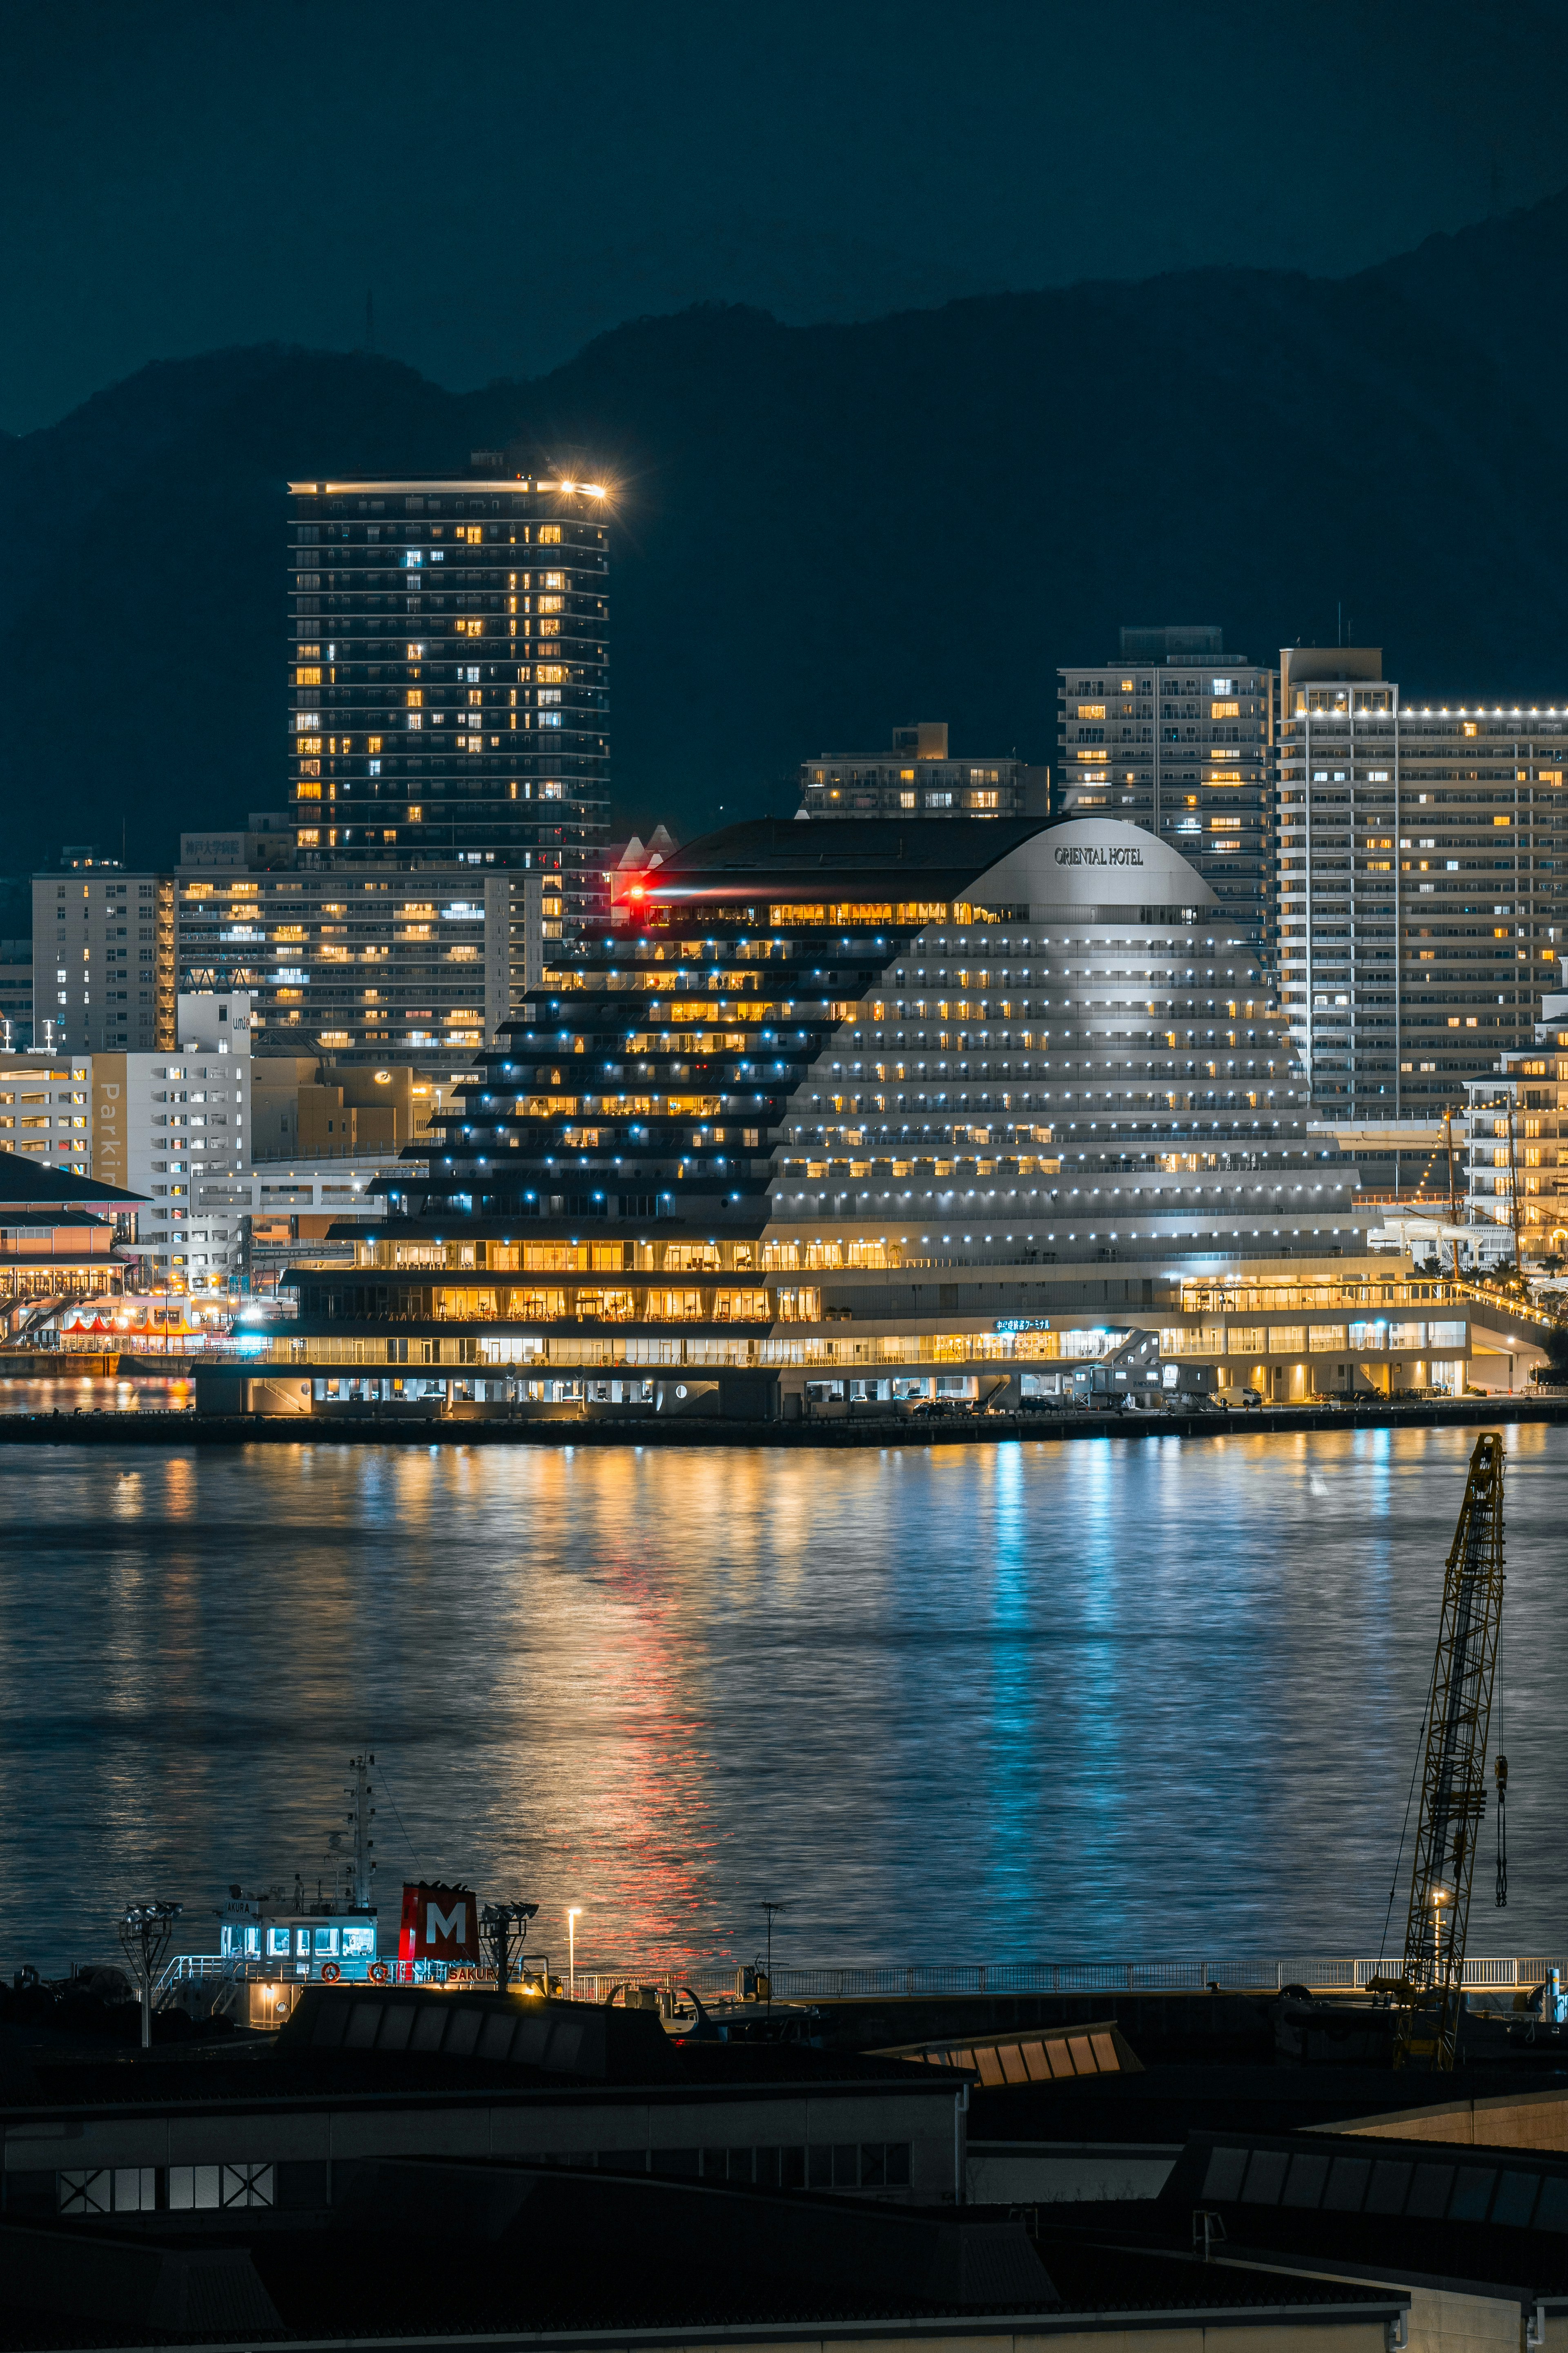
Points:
(450, 674)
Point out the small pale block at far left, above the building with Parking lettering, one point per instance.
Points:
(102, 959)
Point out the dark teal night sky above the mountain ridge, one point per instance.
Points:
(511, 180)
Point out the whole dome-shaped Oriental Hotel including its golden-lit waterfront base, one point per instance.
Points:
(878, 1119)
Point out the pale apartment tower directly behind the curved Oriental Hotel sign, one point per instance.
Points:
(1179, 738)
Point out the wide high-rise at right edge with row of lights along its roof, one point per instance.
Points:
(1423, 884)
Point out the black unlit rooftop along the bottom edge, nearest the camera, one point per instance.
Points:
(448, 2253)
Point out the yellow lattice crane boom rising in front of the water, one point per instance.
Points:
(1454, 1773)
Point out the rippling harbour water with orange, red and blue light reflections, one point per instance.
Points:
(984, 1702)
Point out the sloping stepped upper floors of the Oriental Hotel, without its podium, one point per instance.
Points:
(862, 1039)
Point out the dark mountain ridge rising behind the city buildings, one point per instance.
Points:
(824, 531)
